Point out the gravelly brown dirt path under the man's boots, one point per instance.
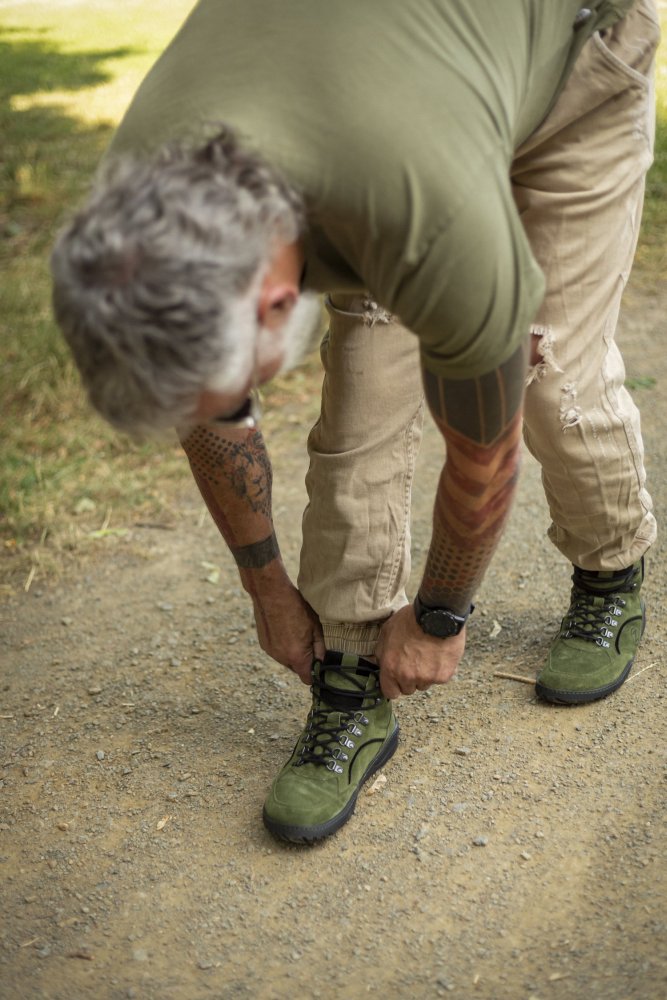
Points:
(510, 849)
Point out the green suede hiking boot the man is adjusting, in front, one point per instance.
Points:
(350, 733)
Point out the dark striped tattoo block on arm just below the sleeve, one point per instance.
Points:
(479, 408)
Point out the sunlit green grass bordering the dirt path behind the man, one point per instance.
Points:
(68, 71)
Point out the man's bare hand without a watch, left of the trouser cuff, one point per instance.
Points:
(287, 628)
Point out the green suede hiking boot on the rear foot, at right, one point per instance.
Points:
(592, 654)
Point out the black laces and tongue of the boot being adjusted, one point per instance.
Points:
(330, 730)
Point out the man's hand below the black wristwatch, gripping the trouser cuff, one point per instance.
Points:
(411, 661)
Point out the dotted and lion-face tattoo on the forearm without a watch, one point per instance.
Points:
(243, 463)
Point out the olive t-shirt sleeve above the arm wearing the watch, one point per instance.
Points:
(472, 297)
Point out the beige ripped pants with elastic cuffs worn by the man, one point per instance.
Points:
(578, 185)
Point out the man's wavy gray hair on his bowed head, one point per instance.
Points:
(156, 278)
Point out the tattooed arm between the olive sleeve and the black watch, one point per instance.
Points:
(480, 420)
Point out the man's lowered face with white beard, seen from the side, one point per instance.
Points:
(279, 348)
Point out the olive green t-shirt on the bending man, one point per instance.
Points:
(397, 120)
